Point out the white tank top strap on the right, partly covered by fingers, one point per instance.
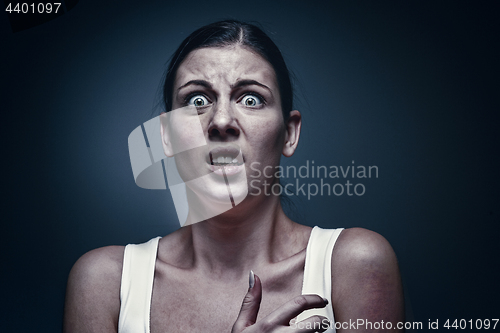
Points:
(318, 271)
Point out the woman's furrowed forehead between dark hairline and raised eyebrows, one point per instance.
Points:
(225, 65)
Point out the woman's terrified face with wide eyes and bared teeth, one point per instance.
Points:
(237, 98)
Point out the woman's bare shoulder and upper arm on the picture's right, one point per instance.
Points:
(366, 282)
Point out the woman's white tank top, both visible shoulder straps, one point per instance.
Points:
(139, 267)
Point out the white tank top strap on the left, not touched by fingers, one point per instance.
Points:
(137, 286)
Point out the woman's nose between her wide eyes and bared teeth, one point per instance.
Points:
(223, 124)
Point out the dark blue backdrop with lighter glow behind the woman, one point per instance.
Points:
(410, 87)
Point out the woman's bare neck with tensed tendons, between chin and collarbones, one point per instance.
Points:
(251, 235)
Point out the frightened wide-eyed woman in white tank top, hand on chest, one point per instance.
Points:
(197, 279)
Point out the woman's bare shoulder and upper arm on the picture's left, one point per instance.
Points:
(93, 291)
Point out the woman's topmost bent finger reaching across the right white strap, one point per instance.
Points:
(291, 309)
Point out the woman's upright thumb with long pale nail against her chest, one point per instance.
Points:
(250, 307)
